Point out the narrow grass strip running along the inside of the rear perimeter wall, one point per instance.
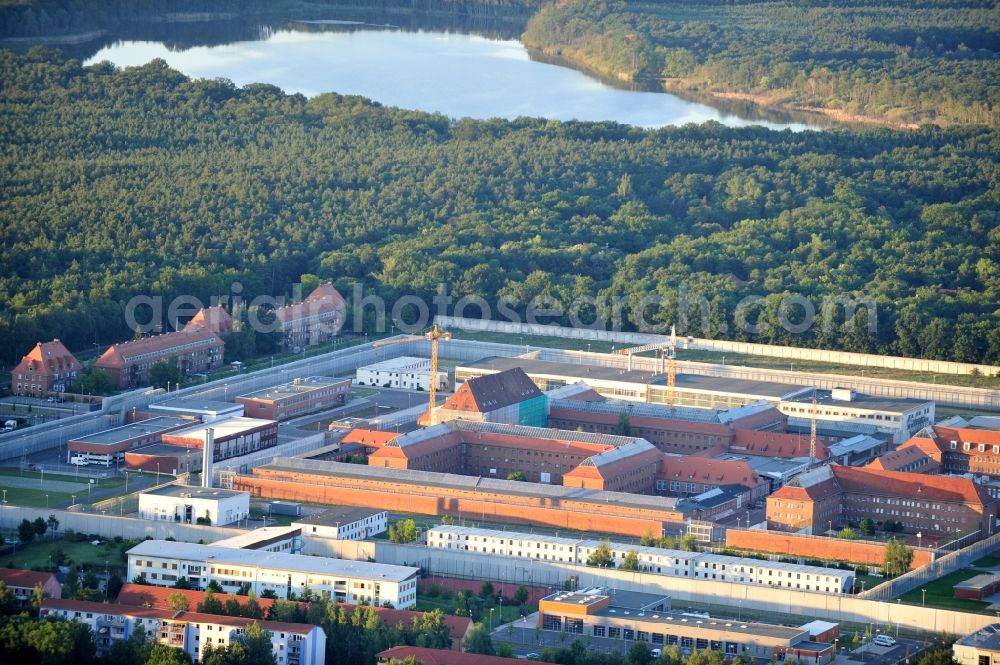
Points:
(763, 362)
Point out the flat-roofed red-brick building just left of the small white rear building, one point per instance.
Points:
(297, 398)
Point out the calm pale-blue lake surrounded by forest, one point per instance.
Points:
(459, 75)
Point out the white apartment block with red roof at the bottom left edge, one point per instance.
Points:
(291, 643)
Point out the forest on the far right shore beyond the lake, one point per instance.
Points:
(898, 61)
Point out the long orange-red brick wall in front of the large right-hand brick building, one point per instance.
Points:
(813, 547)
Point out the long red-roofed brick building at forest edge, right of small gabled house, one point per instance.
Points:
(195, 350)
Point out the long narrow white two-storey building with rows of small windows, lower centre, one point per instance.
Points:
(659, 561)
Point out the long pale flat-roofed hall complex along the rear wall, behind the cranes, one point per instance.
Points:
(898, 418)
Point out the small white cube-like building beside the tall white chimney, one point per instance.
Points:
(186, 504)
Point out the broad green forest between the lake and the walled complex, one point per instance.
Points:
(140, 181)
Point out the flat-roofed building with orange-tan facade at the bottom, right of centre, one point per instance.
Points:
(597, 616)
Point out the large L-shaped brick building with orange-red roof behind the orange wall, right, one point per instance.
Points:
(835, 496)
